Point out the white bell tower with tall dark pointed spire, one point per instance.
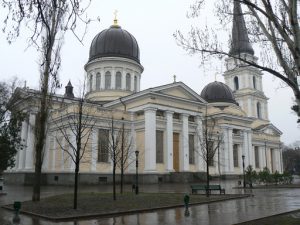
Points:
(243, 79)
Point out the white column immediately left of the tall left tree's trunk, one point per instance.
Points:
(30, 142)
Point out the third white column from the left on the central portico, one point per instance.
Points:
(184, 162)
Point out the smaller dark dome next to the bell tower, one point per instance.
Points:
(217, 92)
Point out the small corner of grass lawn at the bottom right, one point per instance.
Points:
(292, 218)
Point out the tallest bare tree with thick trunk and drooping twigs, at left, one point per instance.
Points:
(48, 21)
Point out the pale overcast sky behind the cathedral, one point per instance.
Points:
(153, 24)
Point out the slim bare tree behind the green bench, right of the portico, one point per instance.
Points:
(210, 140)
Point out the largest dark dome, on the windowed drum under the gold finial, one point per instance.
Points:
(115, 42)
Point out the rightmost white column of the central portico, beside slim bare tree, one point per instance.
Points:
(200, 163)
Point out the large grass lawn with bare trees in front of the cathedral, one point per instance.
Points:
(101, 204)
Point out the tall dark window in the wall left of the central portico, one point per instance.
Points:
(103, 145)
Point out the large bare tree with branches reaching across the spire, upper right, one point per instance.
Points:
(271, 25)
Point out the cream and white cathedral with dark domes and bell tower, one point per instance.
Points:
(164, 125)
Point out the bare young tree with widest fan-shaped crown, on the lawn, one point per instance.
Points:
(75, 125)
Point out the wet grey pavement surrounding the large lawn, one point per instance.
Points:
(265, 202)
